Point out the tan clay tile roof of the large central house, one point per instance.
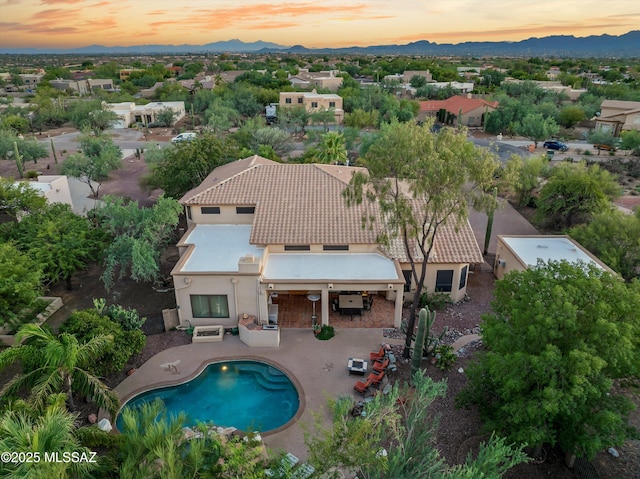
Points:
(300, 204)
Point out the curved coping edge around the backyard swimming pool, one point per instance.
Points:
(302, 402)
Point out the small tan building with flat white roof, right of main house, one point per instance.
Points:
(521, 252)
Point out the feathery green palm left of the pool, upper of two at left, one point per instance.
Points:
(59, 362)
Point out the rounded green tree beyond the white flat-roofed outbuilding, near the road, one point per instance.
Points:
(574, 193)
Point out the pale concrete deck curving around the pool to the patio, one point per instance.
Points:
(318, 367)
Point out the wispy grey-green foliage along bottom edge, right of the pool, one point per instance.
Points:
(395, 438)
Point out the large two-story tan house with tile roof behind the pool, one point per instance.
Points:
(257, 228)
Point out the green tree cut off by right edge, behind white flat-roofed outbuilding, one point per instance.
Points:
(614, 237)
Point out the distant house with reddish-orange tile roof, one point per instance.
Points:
(458, 110)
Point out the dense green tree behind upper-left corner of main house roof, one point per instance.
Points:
(186, 165)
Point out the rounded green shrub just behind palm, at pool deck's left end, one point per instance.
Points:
(89, 323)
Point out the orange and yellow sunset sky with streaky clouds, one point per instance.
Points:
(314, 24)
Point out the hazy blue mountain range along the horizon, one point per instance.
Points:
(626, 45)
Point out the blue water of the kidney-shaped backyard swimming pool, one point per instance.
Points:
(248, 395)
